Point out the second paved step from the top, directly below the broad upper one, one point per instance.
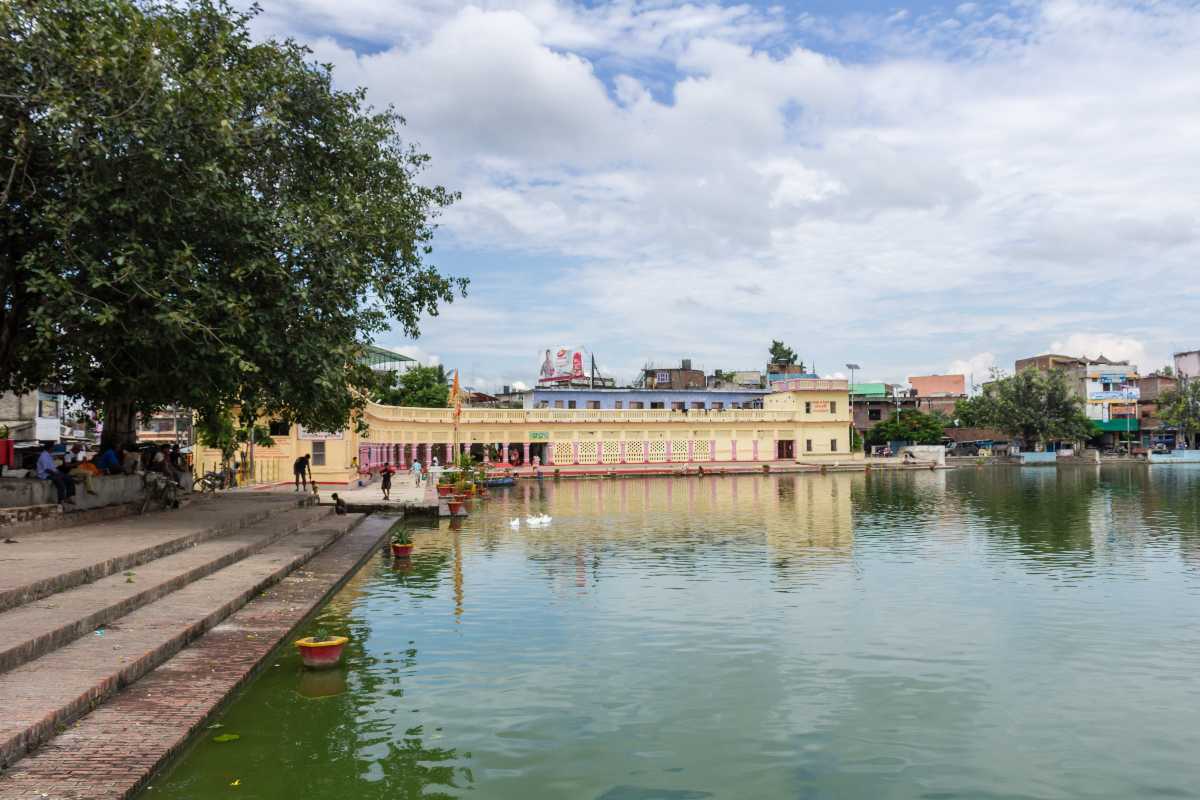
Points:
(35, 629)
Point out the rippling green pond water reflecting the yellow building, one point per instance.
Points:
(1000, 633)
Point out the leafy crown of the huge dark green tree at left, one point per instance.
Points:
(193, 218)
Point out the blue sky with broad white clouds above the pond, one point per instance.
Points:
(915, 188)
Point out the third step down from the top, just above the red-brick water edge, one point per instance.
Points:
(49, 694)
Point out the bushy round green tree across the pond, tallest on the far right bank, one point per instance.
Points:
(1039, 407)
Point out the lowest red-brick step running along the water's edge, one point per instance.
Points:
(113, 751)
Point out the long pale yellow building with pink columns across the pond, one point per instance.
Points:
(808, 422)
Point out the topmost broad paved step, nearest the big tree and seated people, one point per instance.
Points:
(41, 564)
